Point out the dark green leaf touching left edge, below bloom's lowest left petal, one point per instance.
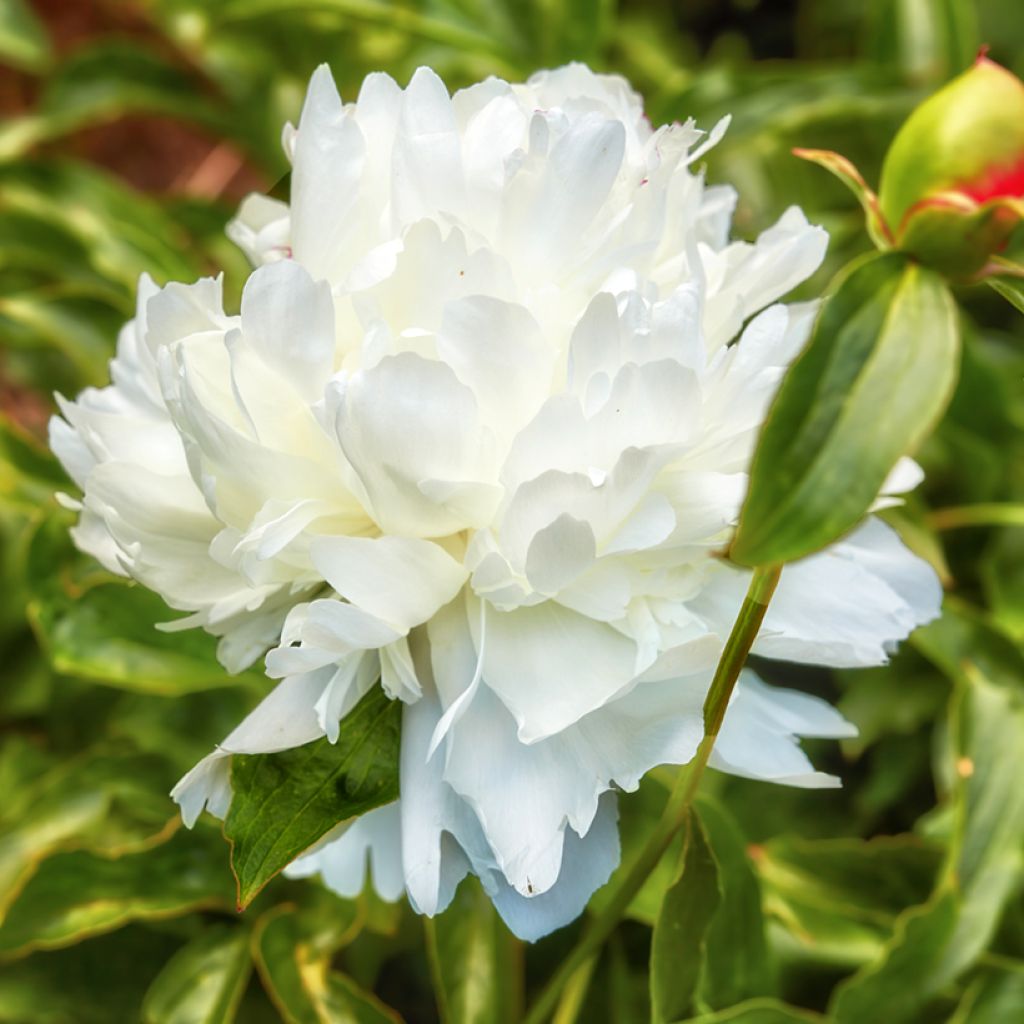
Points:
(75, 895)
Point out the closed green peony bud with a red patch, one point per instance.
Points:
(953, 183)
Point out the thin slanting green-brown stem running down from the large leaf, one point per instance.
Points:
(741, 641)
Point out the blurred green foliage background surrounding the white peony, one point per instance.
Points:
(130, 133)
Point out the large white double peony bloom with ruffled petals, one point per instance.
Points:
(480, 434)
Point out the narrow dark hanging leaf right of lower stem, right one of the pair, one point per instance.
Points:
(737, 964)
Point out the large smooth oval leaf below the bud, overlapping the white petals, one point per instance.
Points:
(877, 374)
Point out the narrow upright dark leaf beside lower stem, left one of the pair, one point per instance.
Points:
(678, 946)
